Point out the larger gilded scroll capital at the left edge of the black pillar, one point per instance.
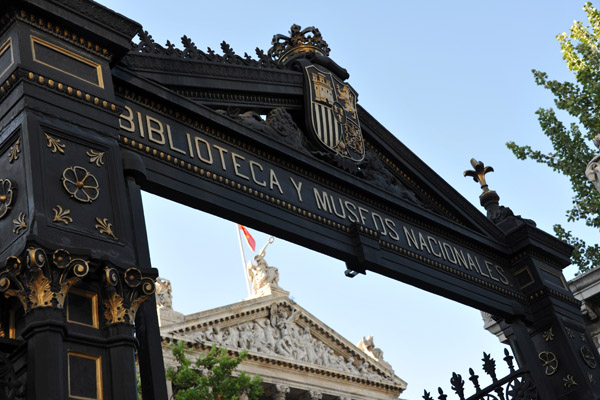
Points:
(39, 282)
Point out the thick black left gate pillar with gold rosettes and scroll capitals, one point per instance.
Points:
(71, 277)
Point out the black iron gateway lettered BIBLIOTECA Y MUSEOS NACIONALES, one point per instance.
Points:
(88, 120)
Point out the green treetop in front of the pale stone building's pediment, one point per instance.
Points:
(211, 377)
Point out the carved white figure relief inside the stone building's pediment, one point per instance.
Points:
(279, 335)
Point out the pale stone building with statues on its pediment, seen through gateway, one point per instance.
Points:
(297, 355)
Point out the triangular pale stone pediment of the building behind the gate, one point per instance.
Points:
(276, 328)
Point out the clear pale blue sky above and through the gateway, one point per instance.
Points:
(452, 81)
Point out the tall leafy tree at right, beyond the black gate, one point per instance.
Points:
(571, 143)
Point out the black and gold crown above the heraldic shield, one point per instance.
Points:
(300, 42)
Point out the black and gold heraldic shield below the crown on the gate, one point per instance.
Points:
(332, 113)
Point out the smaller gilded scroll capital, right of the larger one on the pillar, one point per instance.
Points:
(123, 294)
